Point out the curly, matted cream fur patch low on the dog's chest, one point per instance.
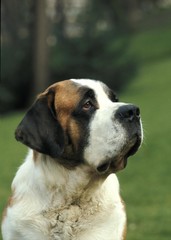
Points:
(70, 222)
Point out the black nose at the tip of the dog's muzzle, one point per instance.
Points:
(128, 112)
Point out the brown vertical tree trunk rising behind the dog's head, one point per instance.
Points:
(40, 48)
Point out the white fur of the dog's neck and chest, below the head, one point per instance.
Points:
(51, 202)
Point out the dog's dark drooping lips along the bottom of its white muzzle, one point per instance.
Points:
(120, 162)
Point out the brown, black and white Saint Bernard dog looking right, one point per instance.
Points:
(79, 136)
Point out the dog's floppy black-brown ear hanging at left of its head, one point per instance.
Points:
(40, 129)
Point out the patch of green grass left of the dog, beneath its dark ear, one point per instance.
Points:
(12, 154)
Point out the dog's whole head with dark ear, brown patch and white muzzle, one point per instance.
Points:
(81, 122)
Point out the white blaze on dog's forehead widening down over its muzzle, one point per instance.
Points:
(107, 137)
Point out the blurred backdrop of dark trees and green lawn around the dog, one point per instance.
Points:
(126, 44)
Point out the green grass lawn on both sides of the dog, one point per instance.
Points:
(145, 183)
